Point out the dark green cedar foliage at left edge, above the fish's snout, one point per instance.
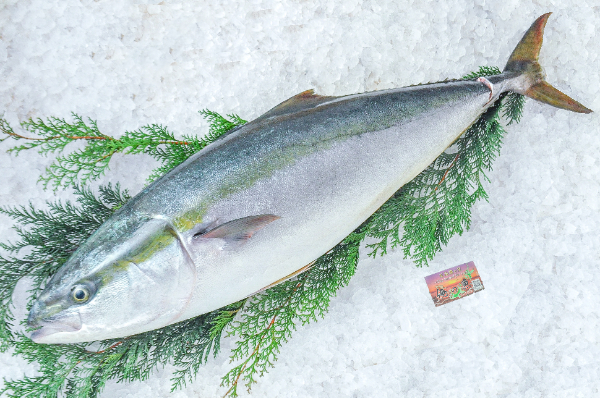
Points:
(48, 237)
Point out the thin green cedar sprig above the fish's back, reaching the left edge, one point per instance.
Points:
(84, 165)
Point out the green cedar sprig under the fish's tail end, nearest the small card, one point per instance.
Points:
(426, 212)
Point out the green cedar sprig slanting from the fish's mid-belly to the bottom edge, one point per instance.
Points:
(269, 318)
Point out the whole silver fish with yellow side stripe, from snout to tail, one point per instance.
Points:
(260, 204)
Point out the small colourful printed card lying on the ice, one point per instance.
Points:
(454, 283)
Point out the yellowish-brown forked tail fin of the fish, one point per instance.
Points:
(524, 62)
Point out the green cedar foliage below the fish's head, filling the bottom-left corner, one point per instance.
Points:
(76, 370)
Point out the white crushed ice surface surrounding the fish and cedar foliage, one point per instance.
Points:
(533, 332)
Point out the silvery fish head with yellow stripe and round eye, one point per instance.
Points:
(119, 283)
